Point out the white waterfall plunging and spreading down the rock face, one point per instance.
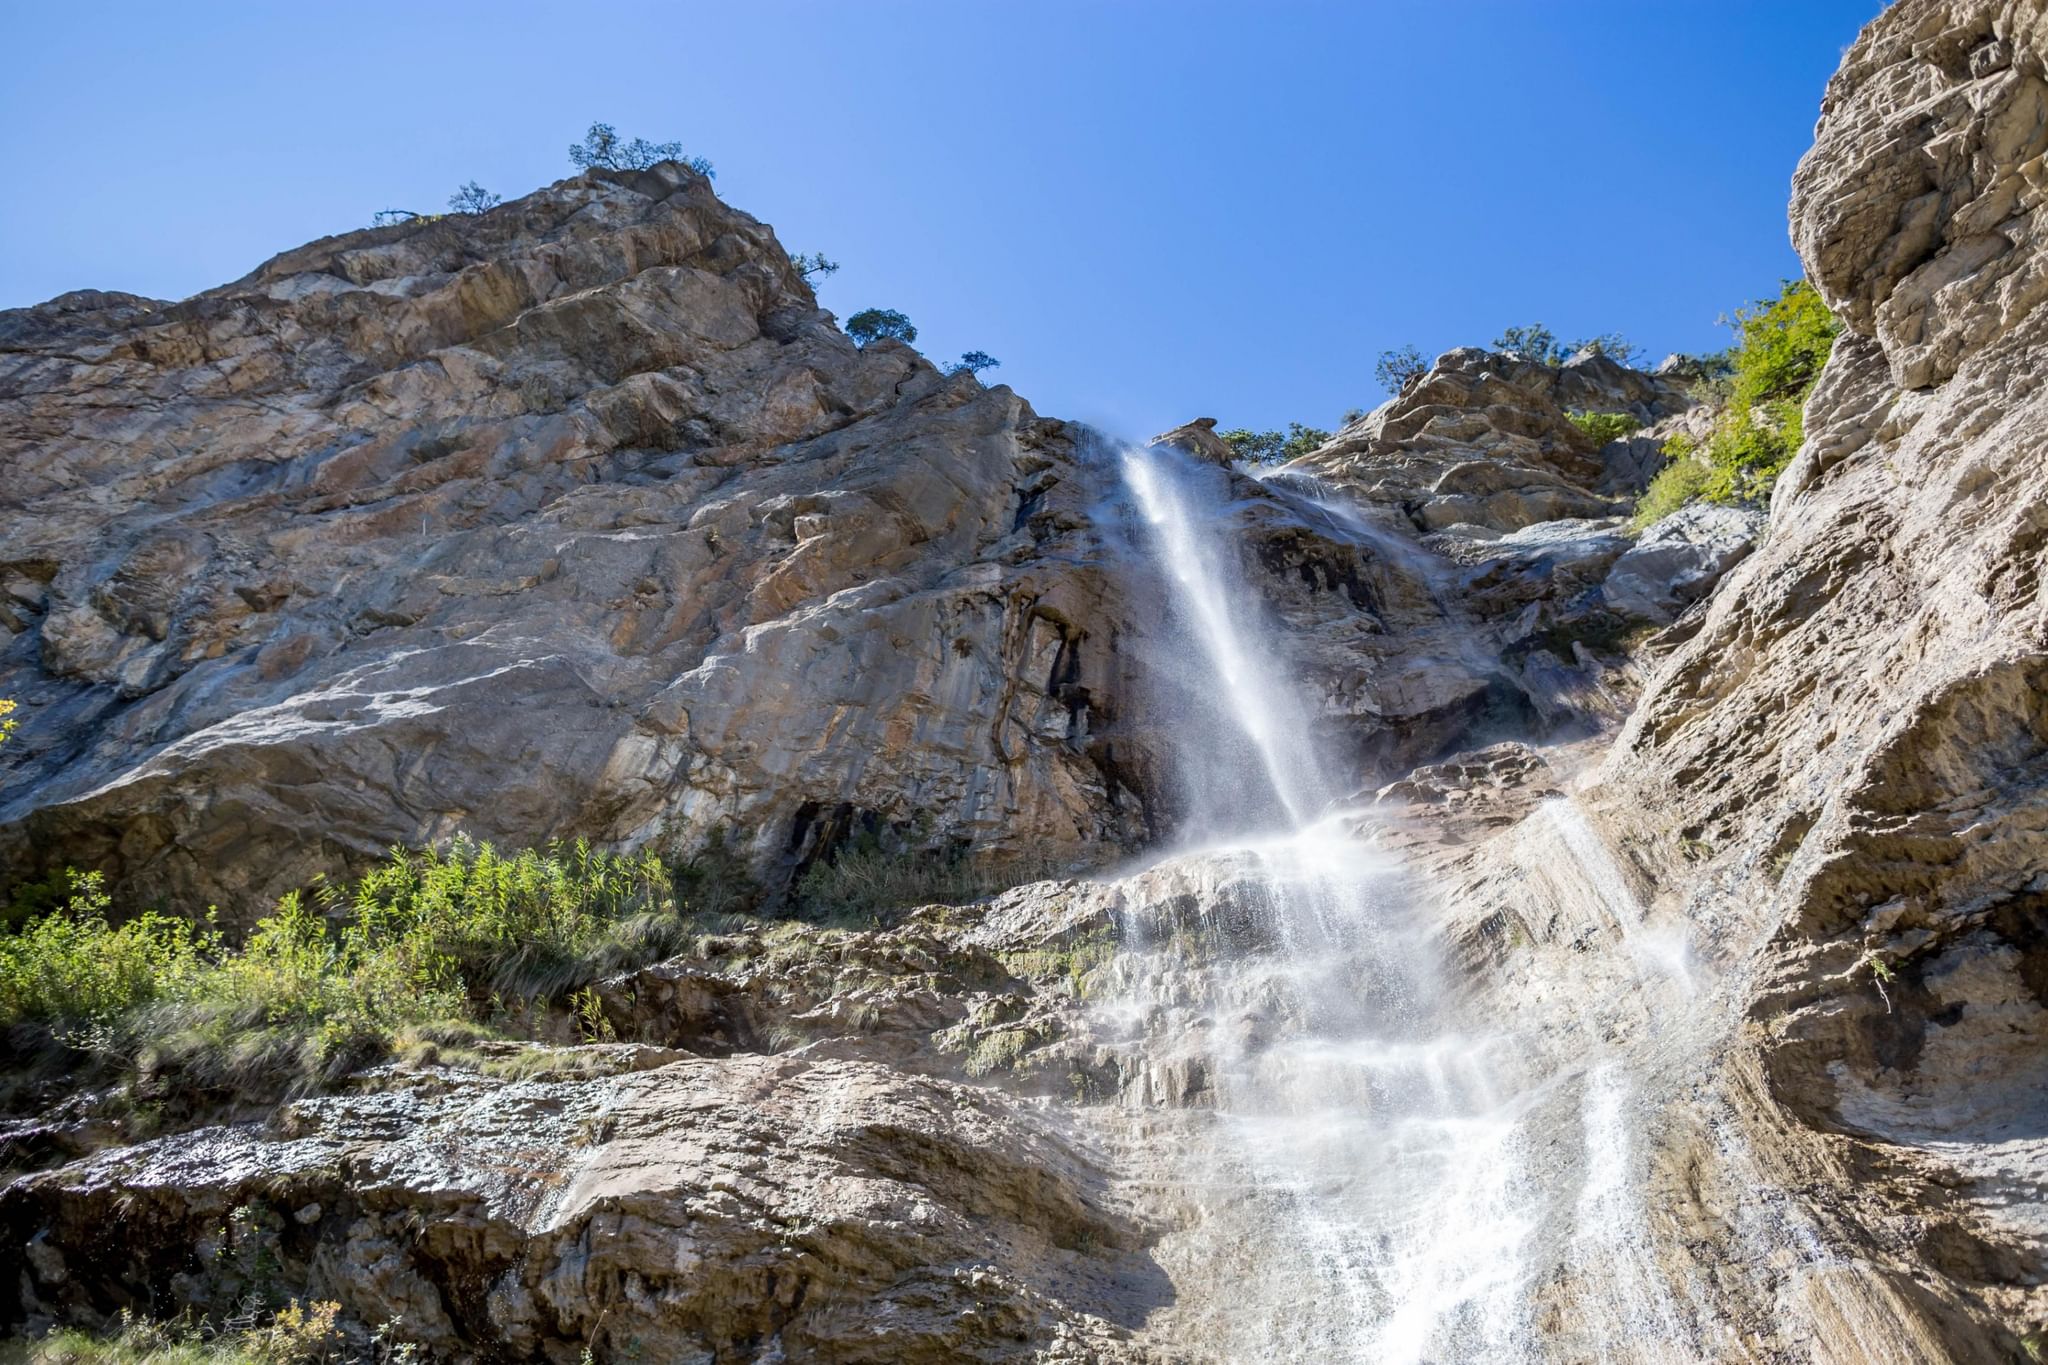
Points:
(1375, 1178)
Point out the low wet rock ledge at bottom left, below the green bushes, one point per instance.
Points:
(796, 1208)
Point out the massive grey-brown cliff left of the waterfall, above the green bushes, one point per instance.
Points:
(570, 519)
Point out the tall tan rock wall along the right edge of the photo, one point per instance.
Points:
(1844, 777)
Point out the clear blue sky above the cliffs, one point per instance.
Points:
(1148, 210)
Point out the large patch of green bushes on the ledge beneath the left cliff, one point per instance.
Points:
(464, 936)
